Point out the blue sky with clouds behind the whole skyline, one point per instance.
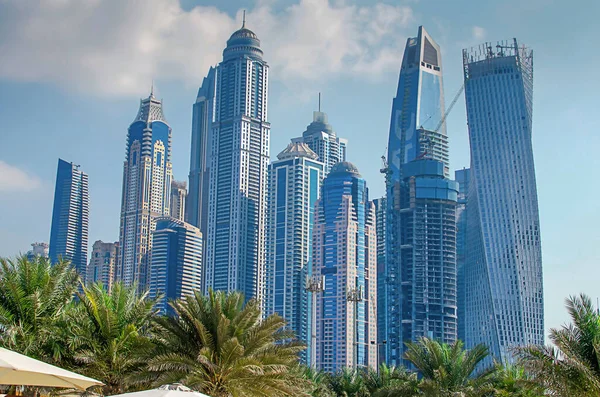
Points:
(72, 73)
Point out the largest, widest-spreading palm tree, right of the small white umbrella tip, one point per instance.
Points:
(220, 346)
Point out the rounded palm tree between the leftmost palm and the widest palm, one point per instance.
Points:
(109, 333)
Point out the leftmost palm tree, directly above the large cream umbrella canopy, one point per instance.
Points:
(34, 295)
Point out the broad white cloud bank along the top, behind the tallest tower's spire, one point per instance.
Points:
(111, 47)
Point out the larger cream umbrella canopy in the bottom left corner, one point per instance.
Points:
(20, 370)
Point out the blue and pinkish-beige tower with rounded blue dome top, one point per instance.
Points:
(345, 254)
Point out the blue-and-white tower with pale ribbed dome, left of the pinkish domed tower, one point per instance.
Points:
(294, 181)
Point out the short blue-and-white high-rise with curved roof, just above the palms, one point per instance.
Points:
(176, 270)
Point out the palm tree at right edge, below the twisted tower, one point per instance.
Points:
(572, 368)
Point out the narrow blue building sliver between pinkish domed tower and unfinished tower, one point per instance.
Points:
(380, 229)
